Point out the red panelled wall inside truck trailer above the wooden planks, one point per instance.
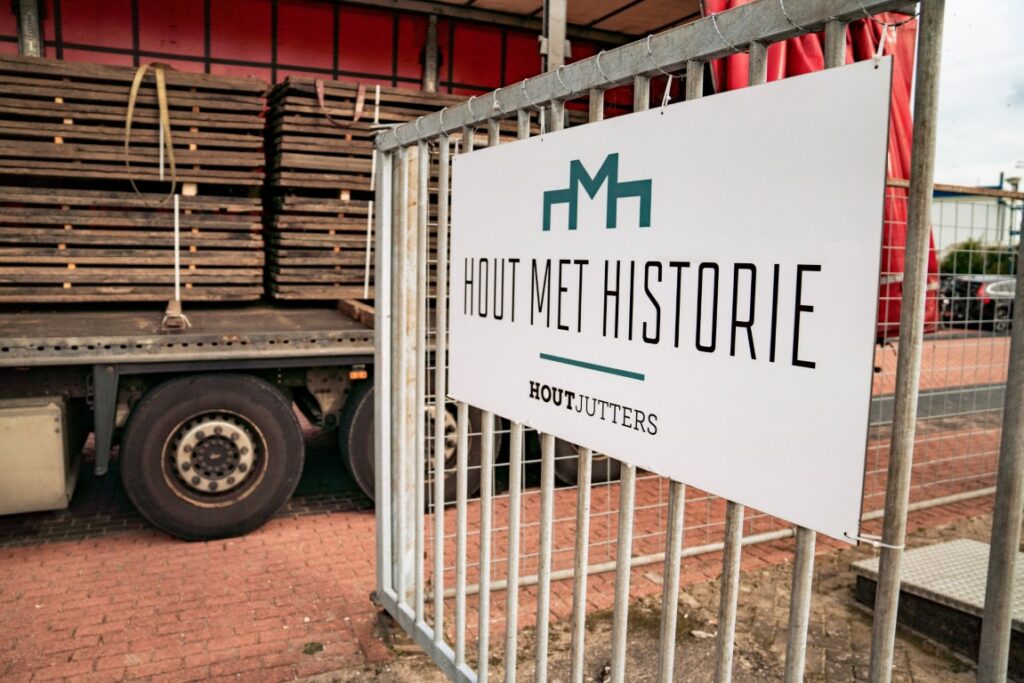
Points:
(272, 39)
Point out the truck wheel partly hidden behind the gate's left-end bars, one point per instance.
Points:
(357, 443)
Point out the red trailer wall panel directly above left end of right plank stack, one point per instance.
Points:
(306, 34)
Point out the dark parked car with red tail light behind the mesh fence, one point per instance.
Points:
(983, 301)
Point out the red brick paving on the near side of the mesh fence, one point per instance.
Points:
(139, 606)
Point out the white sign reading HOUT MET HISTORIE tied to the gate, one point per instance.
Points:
(692, 289)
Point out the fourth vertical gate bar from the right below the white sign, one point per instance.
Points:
(627, 496)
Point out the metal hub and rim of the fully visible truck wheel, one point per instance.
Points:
(215, 455)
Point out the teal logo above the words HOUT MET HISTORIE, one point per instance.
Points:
(609, 174)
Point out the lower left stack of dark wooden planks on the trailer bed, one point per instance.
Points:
(64, 245)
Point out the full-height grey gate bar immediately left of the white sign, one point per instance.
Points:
(441, 386)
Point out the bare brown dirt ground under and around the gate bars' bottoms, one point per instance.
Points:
(839, 639)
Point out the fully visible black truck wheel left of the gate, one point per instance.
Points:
(211, 456)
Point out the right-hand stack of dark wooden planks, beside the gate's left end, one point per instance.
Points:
(320, 168)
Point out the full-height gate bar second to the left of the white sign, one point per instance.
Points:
(422, 211)
